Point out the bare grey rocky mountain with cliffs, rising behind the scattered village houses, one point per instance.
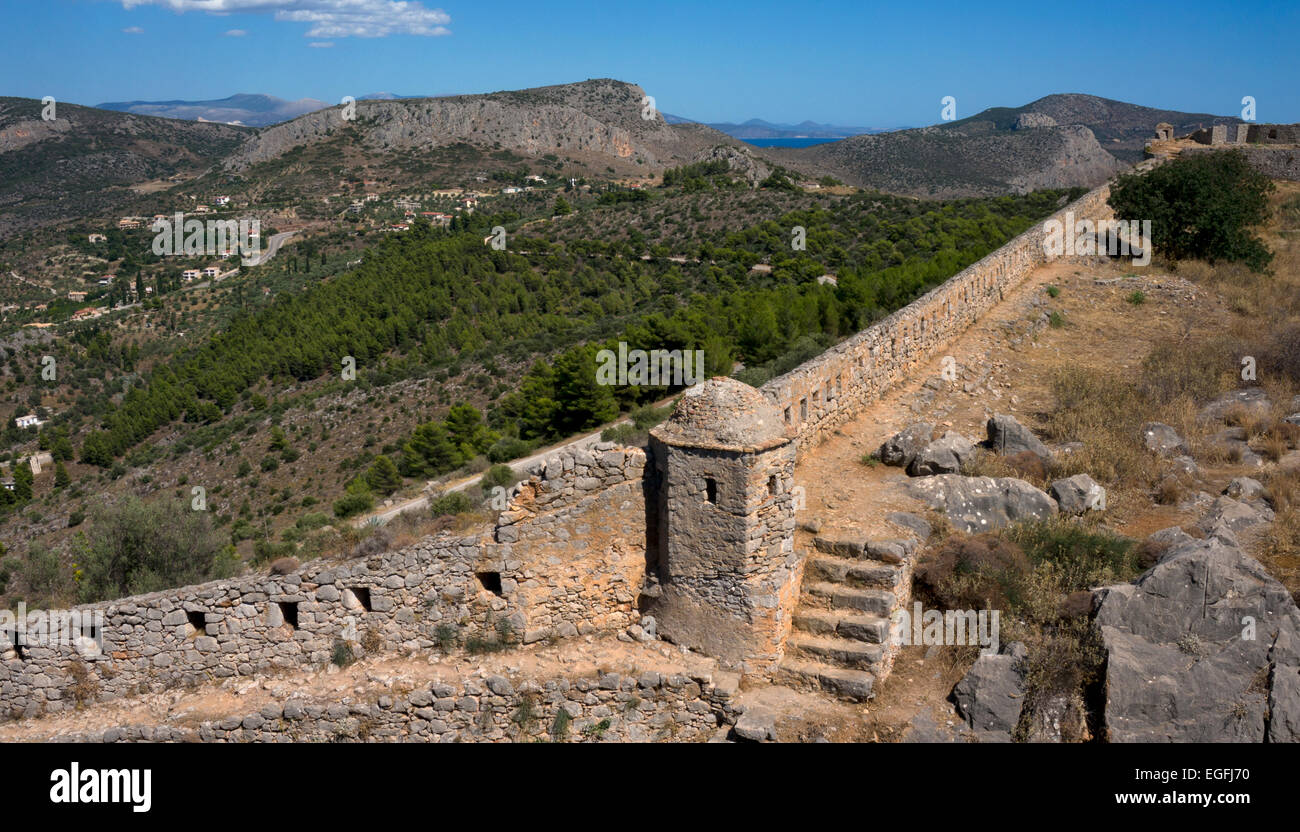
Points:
(599, 123)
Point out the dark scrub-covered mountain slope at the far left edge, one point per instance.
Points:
(86, 161)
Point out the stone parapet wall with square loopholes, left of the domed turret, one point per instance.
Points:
(567, 557)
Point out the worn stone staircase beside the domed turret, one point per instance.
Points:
(840, 640)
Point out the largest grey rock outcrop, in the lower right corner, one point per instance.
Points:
(1203, 648)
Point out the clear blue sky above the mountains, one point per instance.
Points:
(864, 63)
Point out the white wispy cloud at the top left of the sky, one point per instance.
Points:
(328, 19)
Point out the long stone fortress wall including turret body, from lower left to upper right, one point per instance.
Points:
(577, 552)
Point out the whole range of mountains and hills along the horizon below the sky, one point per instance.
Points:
(92, 161)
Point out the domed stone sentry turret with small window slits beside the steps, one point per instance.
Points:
(727, 570)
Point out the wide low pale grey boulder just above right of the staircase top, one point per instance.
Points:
(983, 504)
